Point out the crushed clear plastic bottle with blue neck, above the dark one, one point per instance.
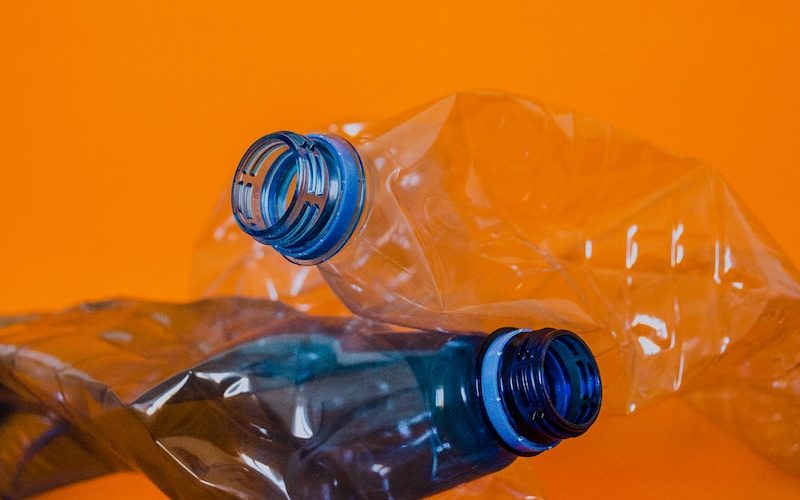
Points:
(484, 208)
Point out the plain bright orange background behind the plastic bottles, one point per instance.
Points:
(122, 122)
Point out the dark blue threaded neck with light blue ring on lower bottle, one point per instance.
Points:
(538, 387)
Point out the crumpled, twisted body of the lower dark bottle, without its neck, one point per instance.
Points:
(241, 398)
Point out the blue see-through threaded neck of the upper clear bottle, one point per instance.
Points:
(303, 195)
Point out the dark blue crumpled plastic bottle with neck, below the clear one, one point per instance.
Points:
(329, 411)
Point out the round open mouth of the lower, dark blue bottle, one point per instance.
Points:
(572, 381)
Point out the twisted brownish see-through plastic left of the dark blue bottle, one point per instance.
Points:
(65, 379)
